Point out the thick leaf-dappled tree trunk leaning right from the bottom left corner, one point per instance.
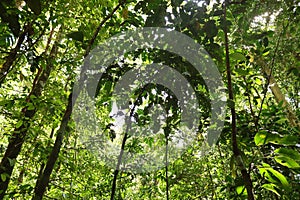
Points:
(19, 134)
